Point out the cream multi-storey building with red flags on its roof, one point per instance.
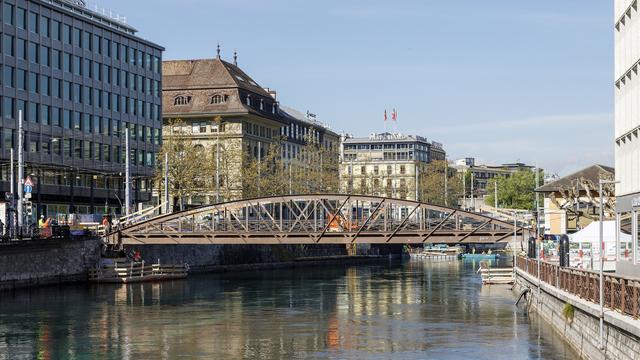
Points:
(386, 164)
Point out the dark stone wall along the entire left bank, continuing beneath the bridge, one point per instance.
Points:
(43, 262)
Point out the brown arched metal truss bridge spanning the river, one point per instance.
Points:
(318, 219)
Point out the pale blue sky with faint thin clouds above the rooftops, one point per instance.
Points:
(500, 81)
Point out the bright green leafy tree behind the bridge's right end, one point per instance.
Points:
(516, 191)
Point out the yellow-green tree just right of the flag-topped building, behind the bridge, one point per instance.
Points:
(432, 187)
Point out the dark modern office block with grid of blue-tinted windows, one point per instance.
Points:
(80, 79)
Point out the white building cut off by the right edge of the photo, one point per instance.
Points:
(627, 117)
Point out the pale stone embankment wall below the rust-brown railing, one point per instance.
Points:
(621, 333)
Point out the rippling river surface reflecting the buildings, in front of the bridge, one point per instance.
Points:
(410, 310)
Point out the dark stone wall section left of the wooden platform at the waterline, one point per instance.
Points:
(43, 262)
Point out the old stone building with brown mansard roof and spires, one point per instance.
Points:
(199, 93)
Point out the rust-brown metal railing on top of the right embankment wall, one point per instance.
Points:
(620, 293)
